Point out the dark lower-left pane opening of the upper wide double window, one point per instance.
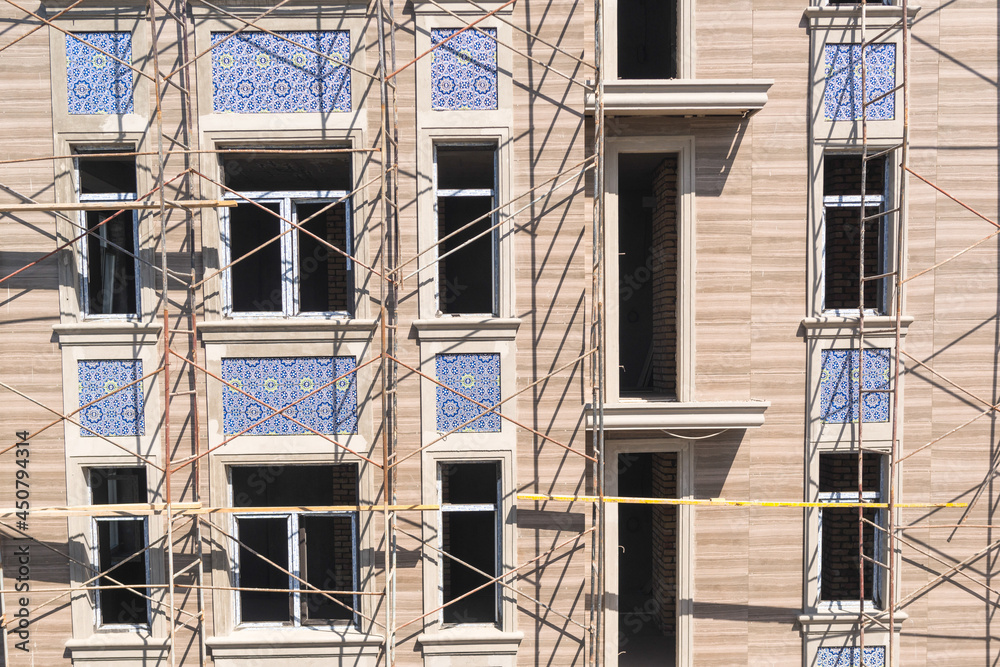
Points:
(256, 277)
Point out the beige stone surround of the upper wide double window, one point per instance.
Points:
(363, 169)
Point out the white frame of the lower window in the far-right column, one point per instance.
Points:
(878, 552)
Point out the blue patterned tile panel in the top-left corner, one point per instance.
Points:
(95, 83)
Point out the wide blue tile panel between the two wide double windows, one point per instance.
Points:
(281, 381)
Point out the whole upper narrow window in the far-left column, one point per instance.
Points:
(110, 254)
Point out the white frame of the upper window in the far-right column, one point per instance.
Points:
(885, 230)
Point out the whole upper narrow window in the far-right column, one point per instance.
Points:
(842, 211)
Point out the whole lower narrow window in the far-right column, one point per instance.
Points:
(838, 528)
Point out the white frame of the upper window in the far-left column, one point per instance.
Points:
(111, 198)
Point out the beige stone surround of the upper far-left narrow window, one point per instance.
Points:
(71, 290)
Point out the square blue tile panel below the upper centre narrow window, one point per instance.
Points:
(476, 376)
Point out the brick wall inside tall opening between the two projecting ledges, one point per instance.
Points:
(664, 270)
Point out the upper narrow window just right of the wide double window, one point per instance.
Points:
(465, 186)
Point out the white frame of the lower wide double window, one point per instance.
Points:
(294, 565)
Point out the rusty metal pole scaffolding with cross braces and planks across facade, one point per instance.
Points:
(184, 377)
